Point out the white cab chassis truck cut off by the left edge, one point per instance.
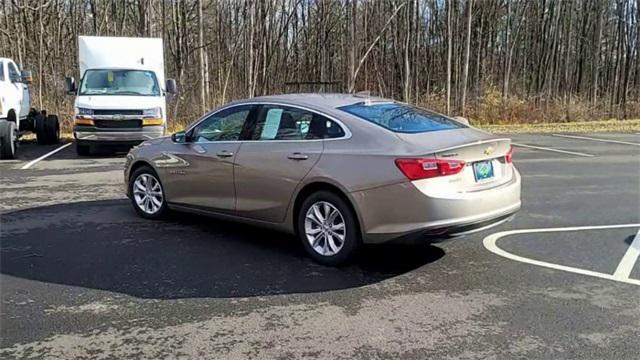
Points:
(16, 115)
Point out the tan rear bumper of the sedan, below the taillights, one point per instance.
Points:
(409, 211)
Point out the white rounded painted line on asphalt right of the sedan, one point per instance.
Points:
(621, 274)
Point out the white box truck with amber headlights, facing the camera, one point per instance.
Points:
(121, 96)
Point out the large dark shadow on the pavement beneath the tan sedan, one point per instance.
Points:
(105, 245)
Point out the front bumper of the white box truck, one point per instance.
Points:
(90, 134)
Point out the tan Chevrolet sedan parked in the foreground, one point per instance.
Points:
(336, 170)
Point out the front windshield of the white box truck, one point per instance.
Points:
(119, 82)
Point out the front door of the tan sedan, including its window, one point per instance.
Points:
(204, 178)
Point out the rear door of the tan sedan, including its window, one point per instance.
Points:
(271, 164)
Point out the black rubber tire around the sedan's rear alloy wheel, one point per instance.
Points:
(352, 238)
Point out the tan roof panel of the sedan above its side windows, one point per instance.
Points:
(319, 101)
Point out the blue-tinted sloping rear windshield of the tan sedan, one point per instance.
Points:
(402, 118)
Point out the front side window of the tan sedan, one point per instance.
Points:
(225, 125)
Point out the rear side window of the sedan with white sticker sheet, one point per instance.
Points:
(287, 123)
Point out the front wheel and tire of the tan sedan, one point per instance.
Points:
(147, 194)
